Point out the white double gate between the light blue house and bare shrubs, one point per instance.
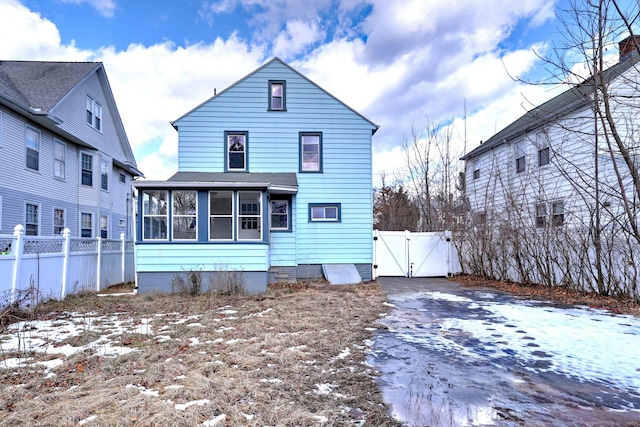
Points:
(409, 254)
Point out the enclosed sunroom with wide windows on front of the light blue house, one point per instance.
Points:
(212, 222)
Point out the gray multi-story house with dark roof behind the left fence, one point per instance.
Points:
(63, 151)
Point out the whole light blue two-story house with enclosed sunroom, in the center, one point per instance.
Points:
(274, 181)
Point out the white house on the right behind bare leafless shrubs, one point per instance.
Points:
(552, 195)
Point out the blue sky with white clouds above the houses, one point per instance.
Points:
(406, 65)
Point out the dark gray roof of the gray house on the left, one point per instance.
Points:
(35, 88)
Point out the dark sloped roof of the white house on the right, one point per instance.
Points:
(572, 99)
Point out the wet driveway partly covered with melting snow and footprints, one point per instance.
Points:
(456, 356)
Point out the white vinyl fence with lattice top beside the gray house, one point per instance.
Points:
(54, 267)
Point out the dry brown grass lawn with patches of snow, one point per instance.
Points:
(290, 357)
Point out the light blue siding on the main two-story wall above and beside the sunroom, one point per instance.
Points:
(346, 176)
